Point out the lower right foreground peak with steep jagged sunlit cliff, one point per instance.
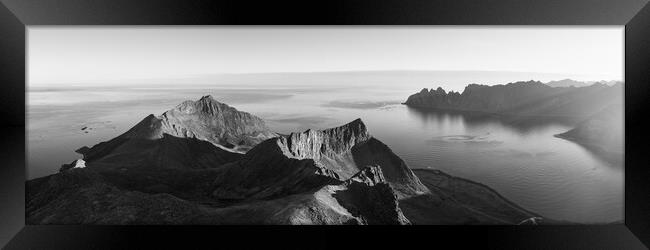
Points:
(301, 161)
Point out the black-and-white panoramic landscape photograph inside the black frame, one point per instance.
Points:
(275, 125)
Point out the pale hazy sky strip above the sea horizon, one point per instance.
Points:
(87, 55)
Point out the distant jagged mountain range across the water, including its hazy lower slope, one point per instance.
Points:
(596, 108)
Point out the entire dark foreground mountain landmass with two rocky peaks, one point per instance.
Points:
(205, 162)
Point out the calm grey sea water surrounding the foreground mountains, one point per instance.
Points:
(520, 158)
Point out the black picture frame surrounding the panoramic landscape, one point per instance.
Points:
(15, 15)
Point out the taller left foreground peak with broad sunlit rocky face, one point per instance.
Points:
(202, 120)
